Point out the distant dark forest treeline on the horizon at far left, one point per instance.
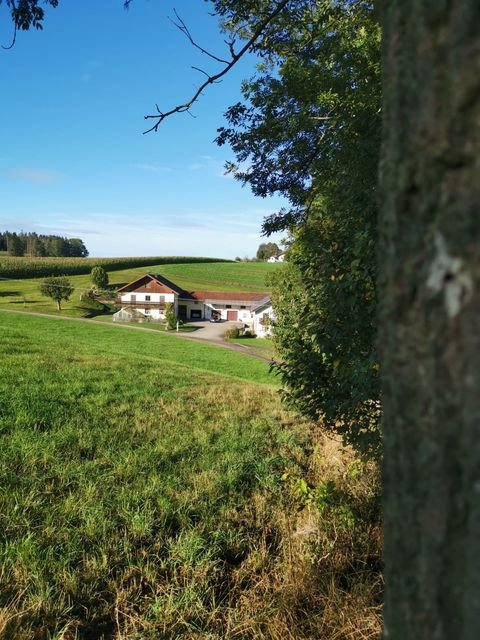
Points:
(41, 246)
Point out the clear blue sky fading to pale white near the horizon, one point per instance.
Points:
(73, 160)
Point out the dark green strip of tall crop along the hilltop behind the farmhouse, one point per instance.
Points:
(11, 267)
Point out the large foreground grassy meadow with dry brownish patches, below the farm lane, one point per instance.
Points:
(156, 488)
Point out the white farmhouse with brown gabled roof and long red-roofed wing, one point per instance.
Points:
(147, 298)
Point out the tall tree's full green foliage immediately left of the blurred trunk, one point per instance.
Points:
(309, 130)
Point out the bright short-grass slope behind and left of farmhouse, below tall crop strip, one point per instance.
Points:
(23, 294)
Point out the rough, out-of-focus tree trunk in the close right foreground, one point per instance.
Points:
(430, 317)
